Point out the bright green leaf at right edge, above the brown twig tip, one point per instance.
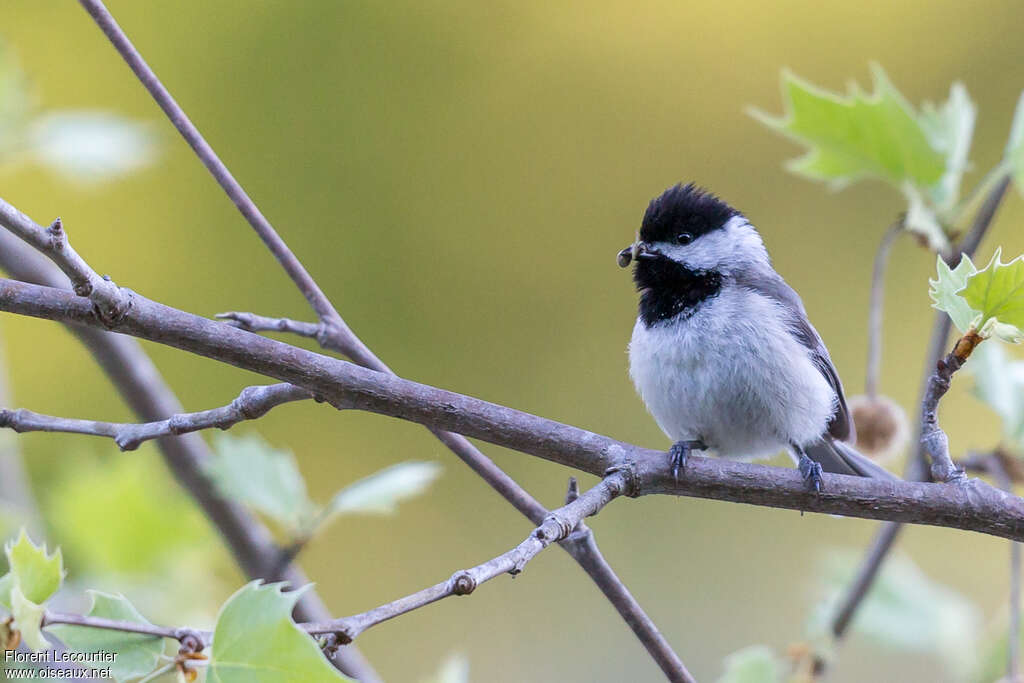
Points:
(998, 293)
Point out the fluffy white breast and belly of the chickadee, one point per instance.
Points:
(733, 376)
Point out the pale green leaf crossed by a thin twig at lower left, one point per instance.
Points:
(138, 655)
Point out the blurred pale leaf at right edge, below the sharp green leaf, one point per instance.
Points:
(999, 382)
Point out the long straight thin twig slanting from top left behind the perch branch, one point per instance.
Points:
(334, 332)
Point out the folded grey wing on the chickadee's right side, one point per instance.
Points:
(771, 284)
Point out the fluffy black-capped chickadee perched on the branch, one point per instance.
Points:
(722, 352)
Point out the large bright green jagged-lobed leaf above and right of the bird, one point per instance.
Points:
(865, 136)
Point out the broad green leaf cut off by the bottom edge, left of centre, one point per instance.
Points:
(257, 642)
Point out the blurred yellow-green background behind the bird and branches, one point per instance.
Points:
(459, 177)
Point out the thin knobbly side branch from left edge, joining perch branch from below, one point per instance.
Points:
(253, 403)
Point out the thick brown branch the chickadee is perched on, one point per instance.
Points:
(972, 506)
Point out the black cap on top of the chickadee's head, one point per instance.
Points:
(685, 209)
